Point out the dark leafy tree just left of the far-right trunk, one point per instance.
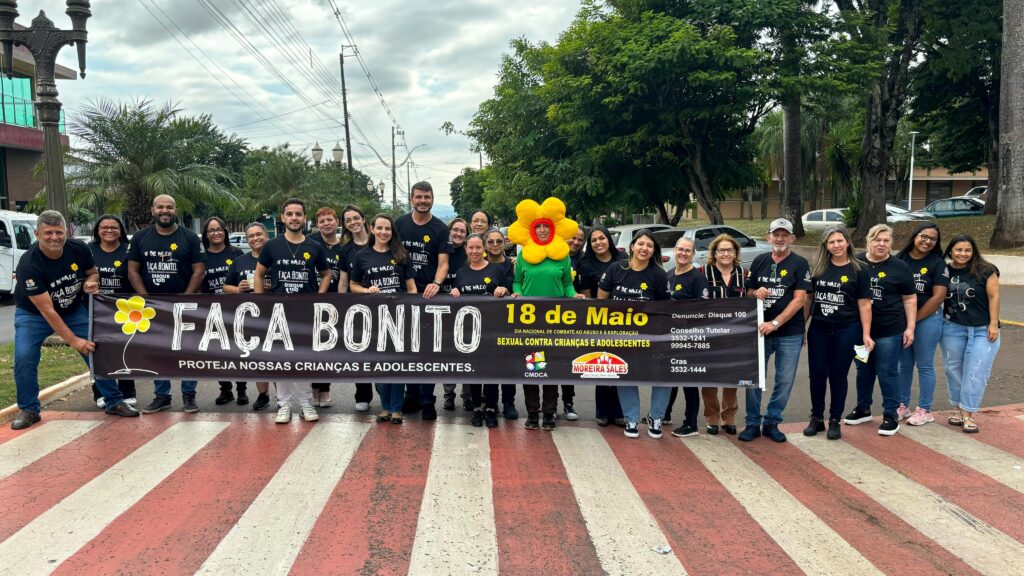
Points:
(957, 88)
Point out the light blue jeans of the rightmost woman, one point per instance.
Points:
(967, 356)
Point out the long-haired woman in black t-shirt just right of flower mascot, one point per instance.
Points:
(599, 256)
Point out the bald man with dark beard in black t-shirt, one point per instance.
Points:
(167, 259)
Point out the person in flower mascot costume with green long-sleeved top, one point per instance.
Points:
(543, 270)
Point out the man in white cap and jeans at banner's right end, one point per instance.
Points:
(782, 280)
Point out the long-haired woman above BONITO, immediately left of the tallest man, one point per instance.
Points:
(385, 269)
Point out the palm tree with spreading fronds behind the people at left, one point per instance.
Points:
(131, 153)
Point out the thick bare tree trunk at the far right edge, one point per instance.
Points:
(1010, 217)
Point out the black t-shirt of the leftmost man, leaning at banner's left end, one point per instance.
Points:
(62, 278)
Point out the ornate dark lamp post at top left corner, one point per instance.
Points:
(45, 42)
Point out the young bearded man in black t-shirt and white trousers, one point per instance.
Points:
(294, 265)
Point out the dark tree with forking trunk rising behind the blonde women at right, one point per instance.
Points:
(888, 31)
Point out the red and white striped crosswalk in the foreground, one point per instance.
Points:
(175, 493)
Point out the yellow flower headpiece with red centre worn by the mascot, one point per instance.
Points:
(550, 214)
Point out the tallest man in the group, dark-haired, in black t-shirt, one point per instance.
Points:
(426, 241)
